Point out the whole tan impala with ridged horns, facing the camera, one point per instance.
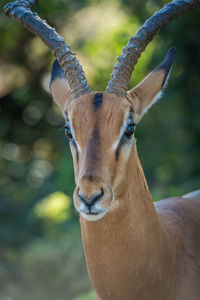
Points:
(133, 248)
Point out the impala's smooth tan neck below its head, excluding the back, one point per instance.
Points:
(123, 247)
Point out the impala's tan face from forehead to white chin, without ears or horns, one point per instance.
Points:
(100, 129)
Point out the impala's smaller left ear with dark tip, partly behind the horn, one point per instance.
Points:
(59, 87)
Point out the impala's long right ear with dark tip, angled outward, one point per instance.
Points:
(148, 91)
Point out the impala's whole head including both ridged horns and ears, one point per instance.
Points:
(100, 126)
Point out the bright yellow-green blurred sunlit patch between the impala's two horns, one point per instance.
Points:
(105, 28)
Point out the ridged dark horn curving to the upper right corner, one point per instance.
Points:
(126, 62)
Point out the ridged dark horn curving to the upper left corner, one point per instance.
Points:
(21, 11)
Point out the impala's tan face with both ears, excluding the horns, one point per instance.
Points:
(100, 129)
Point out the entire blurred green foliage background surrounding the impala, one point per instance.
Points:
(41, 255)
